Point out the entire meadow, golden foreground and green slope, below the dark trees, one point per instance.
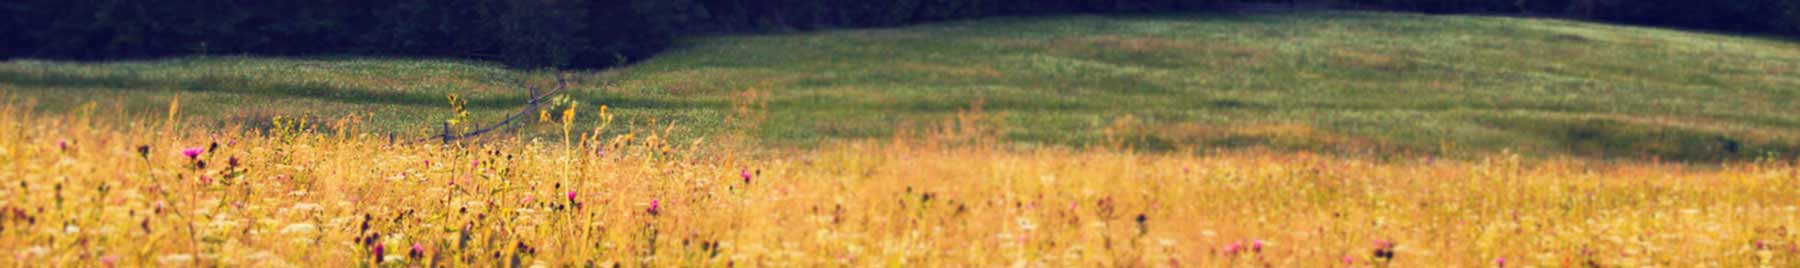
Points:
(1286, 139)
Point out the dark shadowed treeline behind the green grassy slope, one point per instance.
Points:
(602, 33)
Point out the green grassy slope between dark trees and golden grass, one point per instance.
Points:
(1311, 82)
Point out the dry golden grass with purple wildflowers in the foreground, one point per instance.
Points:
(80, 193)
